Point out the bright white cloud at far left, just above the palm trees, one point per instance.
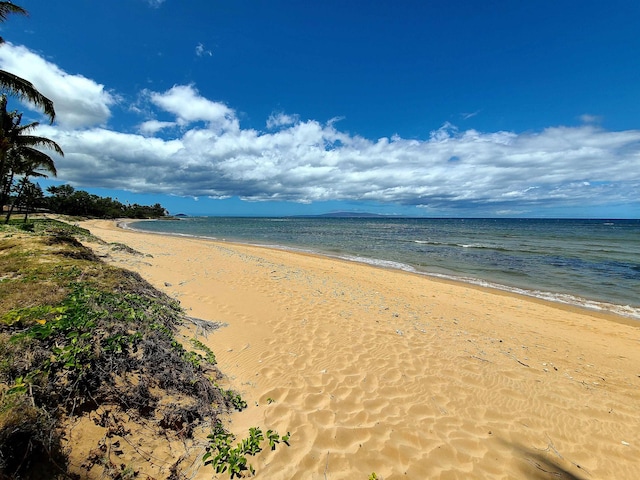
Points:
(79, 101)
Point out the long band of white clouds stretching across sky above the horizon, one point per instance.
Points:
(184, 144)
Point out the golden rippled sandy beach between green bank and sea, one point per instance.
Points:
(375, 370)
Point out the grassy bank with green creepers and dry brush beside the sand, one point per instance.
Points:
(80, 338)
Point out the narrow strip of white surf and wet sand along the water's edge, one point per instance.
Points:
(613, 312)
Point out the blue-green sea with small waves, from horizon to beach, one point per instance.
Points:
(593, 263)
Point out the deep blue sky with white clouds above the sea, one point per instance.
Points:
(464, 108)
